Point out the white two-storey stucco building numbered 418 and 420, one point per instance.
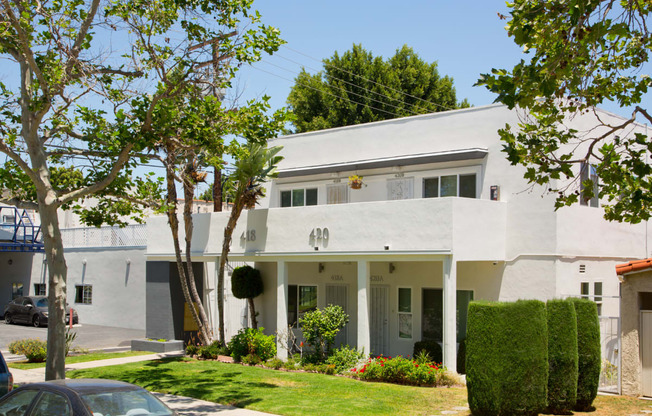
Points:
(441, 219)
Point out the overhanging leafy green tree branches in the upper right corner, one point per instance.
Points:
(583, 53)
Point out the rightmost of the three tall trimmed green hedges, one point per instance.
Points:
(589, 355)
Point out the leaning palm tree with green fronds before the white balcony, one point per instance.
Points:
(252, 170)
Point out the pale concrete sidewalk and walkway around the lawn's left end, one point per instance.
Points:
(183, 405)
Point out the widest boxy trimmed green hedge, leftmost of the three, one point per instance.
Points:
(506, 357)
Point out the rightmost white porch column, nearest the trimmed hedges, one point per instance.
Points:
(450, 313)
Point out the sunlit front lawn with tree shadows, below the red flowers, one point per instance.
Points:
(290, 393)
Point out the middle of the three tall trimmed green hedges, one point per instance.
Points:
(562, 356)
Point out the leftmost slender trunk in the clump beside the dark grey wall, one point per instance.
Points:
(174, 228)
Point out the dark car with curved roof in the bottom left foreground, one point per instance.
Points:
(82, 397)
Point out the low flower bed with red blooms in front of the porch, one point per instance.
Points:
(402, 370)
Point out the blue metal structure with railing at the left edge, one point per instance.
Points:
(18, 232)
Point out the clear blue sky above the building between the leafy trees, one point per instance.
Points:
(465, 37)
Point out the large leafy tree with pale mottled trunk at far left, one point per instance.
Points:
(84, 80)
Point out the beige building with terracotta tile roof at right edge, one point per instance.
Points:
(636, 314)
